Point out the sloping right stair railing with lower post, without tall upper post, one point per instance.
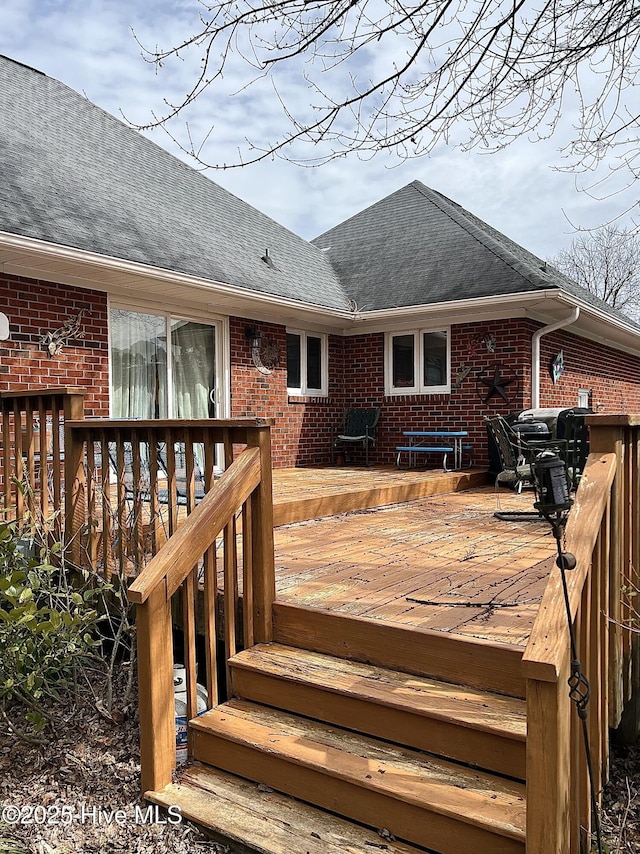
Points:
(558, 791)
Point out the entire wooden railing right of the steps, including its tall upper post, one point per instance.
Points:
(602, 533)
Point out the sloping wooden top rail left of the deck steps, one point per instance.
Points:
(177, 558)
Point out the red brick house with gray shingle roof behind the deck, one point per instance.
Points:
(169, 296)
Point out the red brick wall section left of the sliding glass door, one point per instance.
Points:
(35, 308)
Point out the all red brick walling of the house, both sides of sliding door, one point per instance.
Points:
(303, 426)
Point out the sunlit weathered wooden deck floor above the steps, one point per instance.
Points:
(443, 562)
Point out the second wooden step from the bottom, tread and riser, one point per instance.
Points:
(420, 799)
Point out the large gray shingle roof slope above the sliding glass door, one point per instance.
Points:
(74, 175)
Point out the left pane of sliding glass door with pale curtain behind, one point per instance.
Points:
(138, 365)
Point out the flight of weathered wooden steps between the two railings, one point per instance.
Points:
(389, 760)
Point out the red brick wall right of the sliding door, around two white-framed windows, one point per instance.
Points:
(303, 425)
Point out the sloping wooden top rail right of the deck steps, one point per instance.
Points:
(546, 649)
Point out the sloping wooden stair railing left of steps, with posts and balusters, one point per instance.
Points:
(238, 506)
